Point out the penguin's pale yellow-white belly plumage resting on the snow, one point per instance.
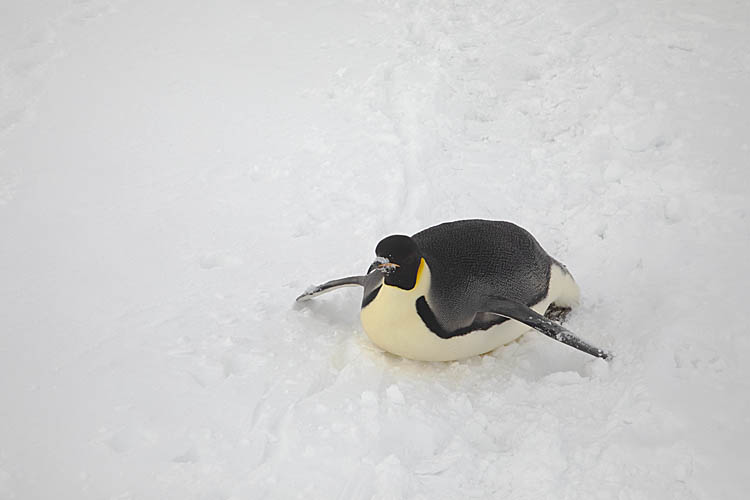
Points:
(392, 323)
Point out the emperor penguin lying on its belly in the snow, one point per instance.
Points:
(461, 289)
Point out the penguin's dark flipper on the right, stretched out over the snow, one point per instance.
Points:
(519, 312)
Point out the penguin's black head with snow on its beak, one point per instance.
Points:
(399, 258)
